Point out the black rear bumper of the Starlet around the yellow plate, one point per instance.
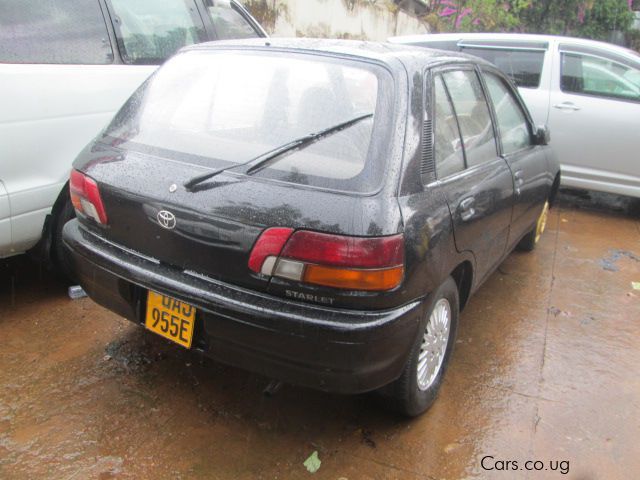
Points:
(330, 349)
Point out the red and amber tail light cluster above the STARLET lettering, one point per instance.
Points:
(352, 263)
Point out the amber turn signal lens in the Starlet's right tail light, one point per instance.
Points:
(354, 279)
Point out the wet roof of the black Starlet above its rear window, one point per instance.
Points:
(410, 56)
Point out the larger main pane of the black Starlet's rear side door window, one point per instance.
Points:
(473, 116)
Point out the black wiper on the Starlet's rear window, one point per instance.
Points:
(258, 163)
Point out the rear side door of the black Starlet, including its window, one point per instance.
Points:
(476, 180)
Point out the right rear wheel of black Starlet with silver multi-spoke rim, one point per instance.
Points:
(417, 387)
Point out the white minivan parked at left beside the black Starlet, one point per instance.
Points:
(66, 66)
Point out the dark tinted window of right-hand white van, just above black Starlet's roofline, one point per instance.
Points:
(523, 67)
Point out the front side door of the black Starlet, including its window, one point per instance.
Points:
(526, 160)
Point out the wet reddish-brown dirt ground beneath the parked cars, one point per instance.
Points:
(545, 369)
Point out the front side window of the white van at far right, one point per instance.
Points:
(589, 75)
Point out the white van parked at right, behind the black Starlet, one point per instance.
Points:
(587, 92)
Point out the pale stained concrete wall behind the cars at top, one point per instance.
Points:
(359, 19)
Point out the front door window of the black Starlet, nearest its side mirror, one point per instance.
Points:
(512, 121)
